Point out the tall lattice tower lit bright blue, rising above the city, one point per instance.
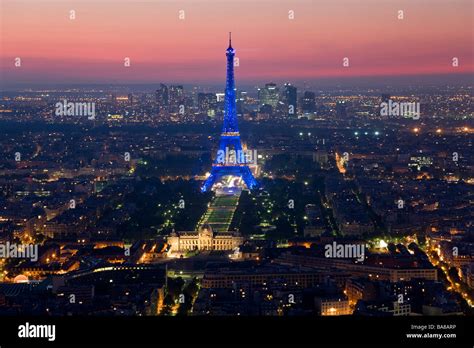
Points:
(230, 136)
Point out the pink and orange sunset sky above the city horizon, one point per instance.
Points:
(270, 46)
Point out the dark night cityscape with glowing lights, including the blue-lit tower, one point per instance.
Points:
(260, 197)
